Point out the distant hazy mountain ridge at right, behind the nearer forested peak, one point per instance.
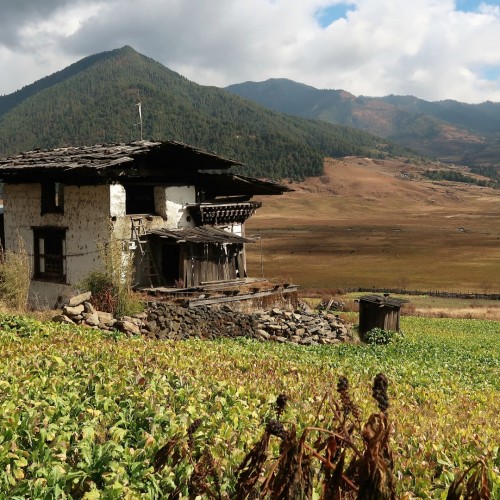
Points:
(449, 130)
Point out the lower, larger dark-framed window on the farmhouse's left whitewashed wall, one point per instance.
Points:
(49, 253)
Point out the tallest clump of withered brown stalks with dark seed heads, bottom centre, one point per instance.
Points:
(354, 461)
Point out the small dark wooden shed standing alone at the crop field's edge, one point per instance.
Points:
(377, 311)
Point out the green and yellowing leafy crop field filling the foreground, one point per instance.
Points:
(83, 414)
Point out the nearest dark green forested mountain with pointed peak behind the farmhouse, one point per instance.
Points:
(94, 101)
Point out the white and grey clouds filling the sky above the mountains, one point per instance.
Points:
(427, 48)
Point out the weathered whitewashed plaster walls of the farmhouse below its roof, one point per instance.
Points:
(91, 215)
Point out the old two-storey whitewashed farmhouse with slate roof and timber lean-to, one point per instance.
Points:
(177, 210)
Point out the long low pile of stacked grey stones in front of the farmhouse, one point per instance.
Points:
(165, 321)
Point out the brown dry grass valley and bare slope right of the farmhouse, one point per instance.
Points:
(378, 223)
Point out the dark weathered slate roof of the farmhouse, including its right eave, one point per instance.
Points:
(167, 162)
